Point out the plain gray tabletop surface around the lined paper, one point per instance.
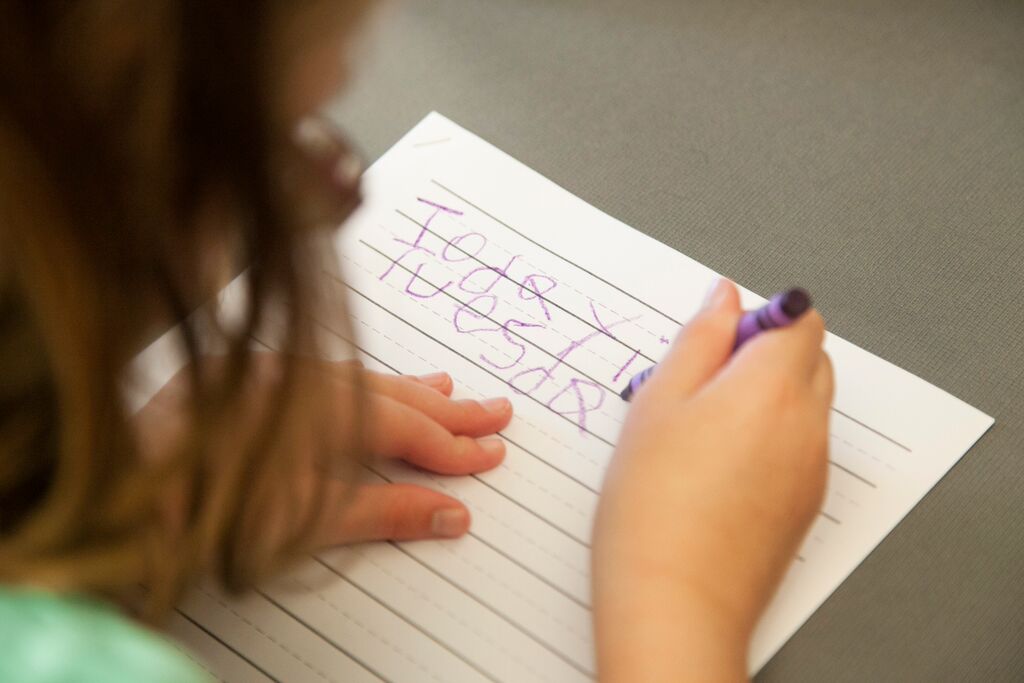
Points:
(873, 152)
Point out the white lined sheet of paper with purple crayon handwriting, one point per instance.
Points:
(465, 261)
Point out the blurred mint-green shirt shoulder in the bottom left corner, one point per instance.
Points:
(53, 638)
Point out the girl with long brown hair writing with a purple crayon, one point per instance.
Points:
(153, 150)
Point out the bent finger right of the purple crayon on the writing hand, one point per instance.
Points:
(795, 350)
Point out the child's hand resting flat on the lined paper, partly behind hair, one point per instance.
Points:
(411, 419)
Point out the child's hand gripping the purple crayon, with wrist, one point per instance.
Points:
(719, 473)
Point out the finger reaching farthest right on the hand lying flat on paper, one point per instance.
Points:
(467, 417)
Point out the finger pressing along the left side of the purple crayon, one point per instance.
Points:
(704, 346)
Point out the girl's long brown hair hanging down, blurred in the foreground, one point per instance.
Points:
(121, 125)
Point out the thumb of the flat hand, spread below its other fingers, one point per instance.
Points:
(398, 513)
